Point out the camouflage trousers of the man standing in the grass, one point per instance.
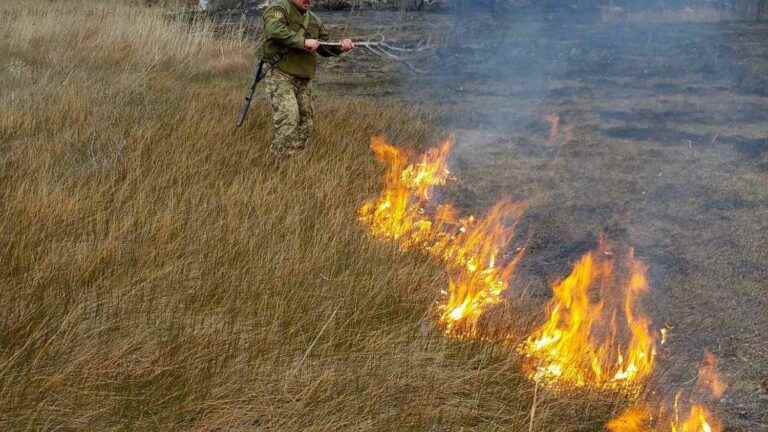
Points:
(292, 114)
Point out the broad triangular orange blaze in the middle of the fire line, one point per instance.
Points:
(580, 344)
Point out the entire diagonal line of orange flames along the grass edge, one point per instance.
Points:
(594, 334)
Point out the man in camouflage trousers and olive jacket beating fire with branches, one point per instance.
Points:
(291, 41)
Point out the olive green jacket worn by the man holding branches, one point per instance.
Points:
(285, 28)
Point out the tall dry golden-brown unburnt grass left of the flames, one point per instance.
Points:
(159, 273)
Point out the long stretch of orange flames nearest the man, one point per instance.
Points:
(470, 249)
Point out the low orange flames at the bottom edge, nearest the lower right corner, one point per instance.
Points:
(682, 416)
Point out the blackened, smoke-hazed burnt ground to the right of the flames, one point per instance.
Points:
(663, 147)
